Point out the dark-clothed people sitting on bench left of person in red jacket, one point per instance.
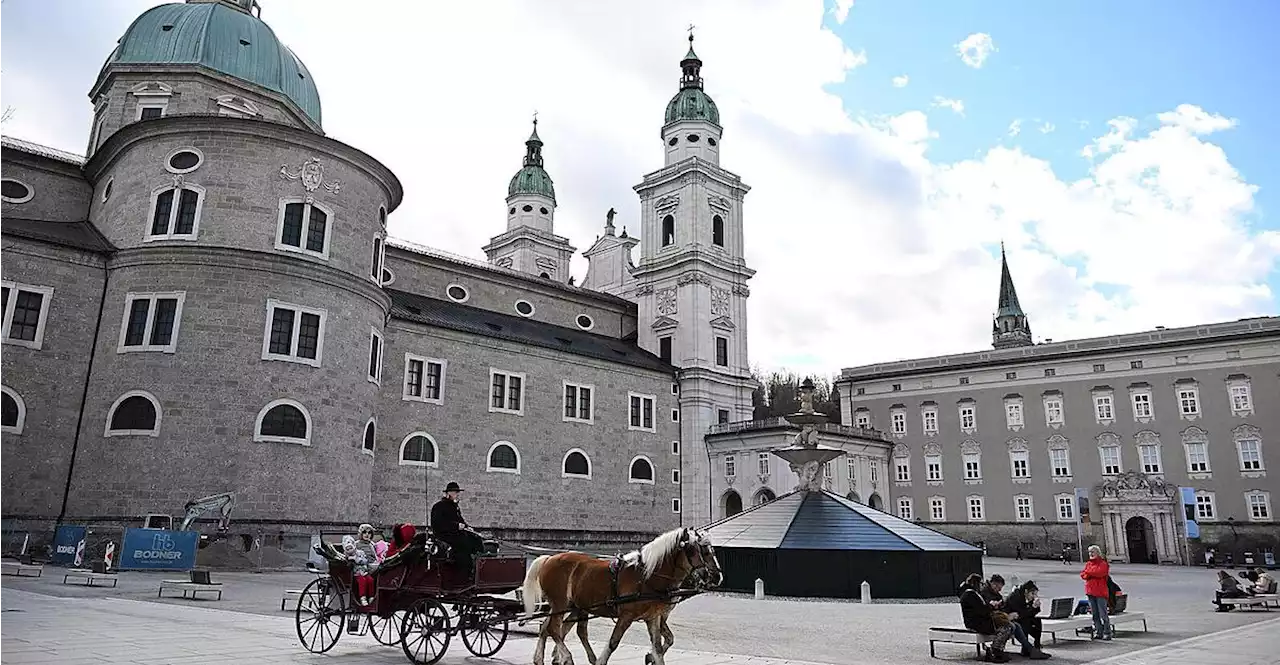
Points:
(988, 612)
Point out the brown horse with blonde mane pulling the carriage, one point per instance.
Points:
(639, 586)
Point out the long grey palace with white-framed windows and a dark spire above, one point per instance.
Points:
(991, 446)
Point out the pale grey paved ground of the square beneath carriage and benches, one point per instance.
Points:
(724, 629)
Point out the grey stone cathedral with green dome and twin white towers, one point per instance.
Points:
(209, 302)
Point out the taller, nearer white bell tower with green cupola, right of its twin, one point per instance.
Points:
(691, 283)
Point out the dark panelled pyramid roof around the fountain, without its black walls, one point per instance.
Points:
(824, 521)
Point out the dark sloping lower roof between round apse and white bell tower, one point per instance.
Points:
(467, 319)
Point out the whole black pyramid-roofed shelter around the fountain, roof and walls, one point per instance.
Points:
(822, 545)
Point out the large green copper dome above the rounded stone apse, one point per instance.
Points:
(223, 36)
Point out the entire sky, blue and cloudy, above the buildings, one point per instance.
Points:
(1119, 150)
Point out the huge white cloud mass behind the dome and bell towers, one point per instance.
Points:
(862, 242)
